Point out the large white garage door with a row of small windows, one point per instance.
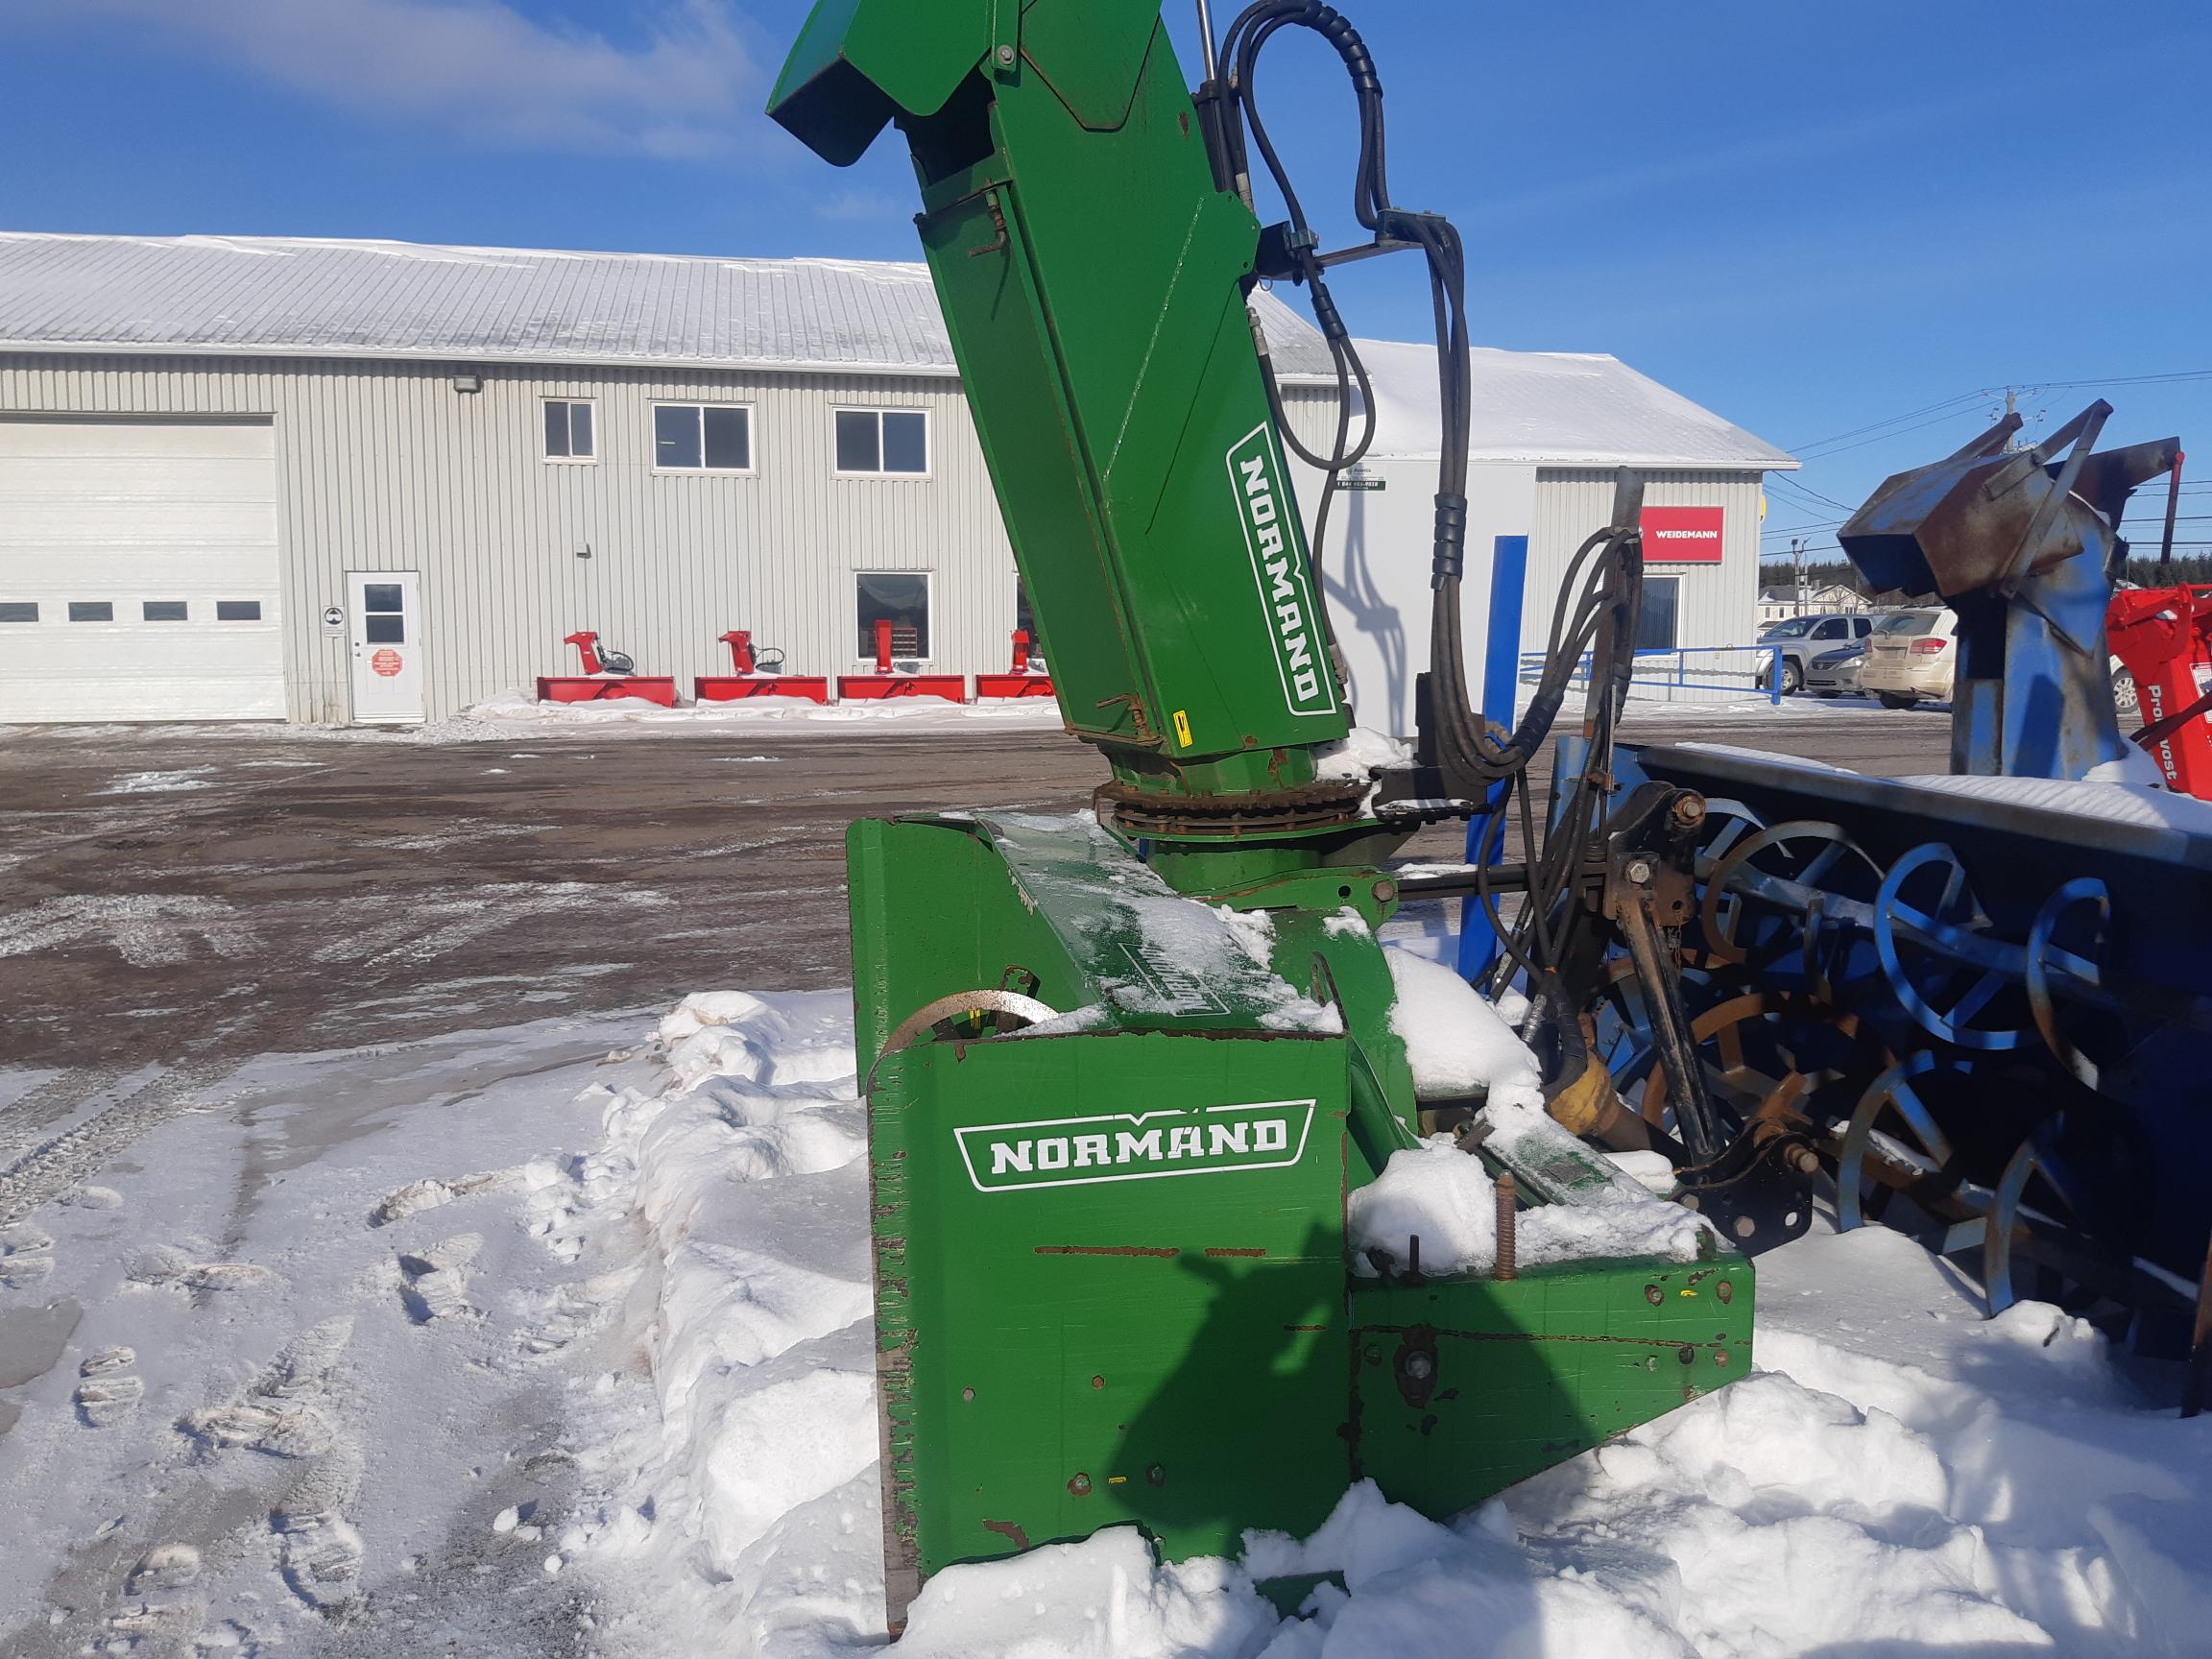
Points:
(138, 572)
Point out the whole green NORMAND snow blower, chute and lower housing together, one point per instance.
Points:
(1125, 1072)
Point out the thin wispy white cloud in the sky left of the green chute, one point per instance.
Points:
(483, 70)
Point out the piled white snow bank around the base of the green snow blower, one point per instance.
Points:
(1897, 1477)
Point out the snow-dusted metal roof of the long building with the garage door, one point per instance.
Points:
(399, 300)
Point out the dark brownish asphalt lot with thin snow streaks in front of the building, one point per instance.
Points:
(176, 901)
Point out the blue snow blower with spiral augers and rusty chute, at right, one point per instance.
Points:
(1981, 1003)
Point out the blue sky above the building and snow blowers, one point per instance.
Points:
(1808, 218)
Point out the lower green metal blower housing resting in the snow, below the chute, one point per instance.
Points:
(1112, 1275)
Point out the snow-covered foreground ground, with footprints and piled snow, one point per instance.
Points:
(556, 1339)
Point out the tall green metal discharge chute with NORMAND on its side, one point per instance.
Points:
(1094, 289)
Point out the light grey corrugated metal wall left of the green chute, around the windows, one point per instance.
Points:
(388, 468)
